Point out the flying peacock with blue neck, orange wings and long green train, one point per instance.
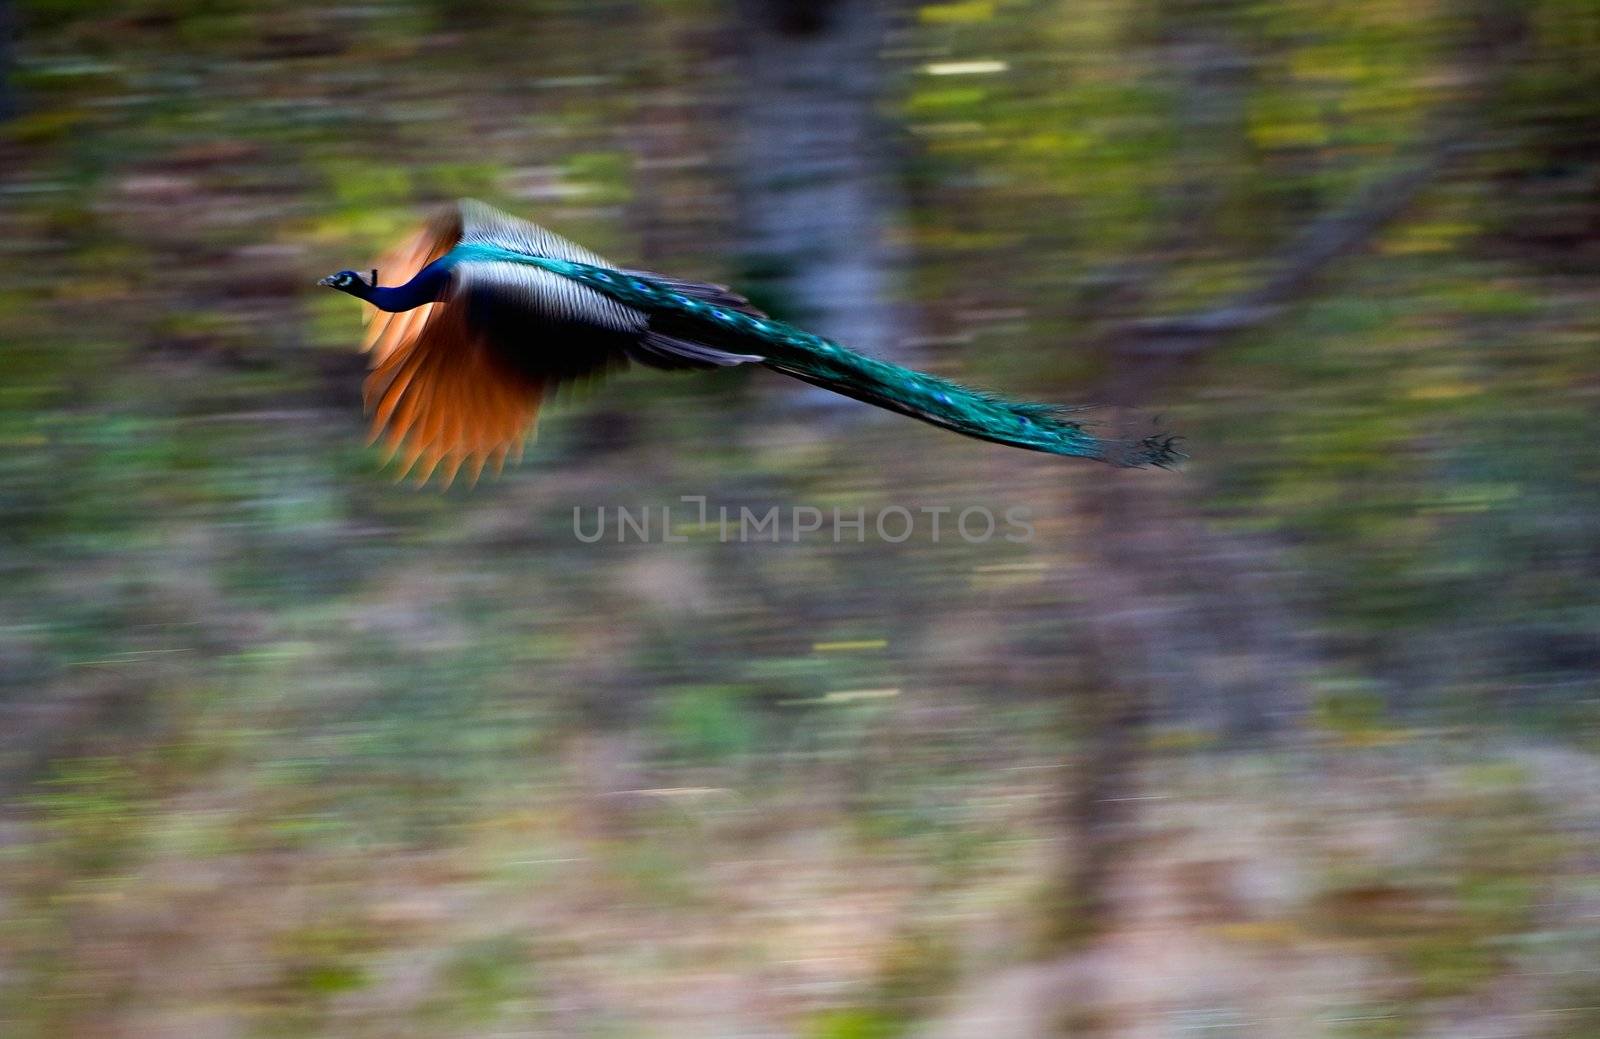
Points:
(495, 313)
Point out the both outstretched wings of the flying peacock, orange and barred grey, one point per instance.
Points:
(458, 385)
